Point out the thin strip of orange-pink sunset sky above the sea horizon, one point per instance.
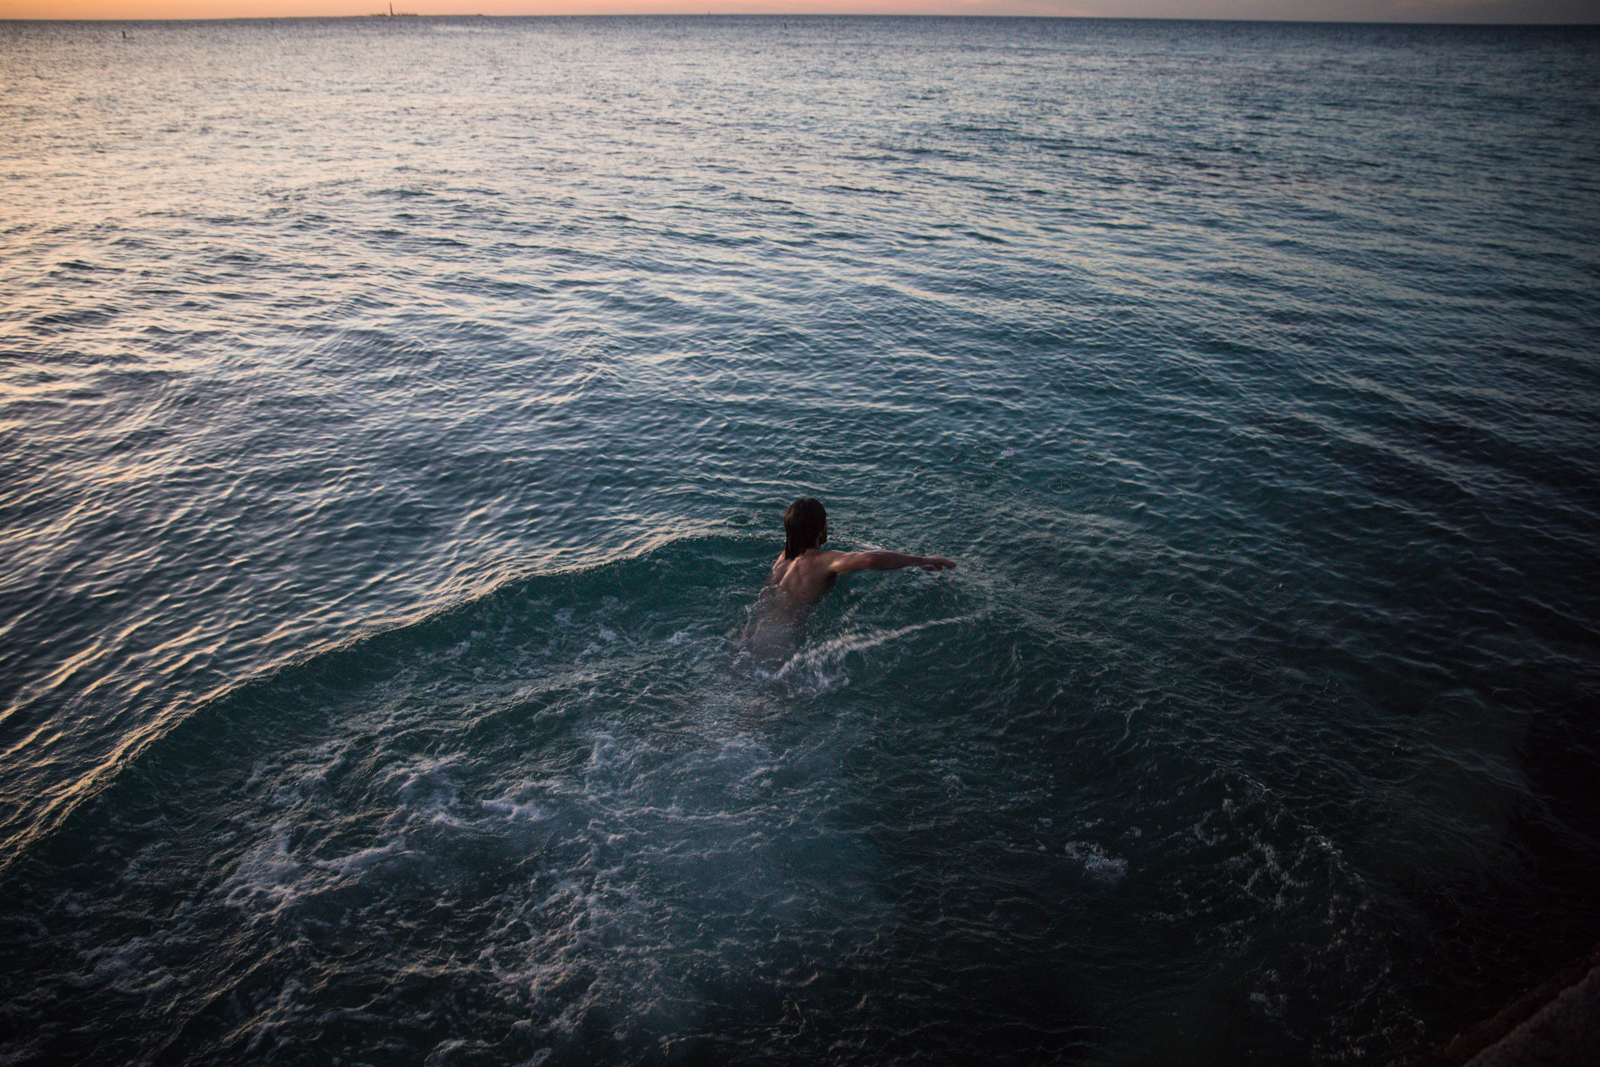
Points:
(1569, 12)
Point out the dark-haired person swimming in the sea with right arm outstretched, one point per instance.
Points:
(806, 572)
